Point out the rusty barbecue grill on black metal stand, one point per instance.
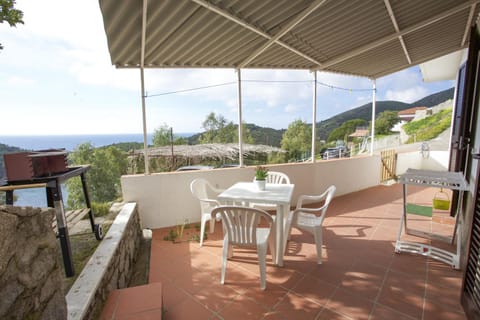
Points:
(48, 169)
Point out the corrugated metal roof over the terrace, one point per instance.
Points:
(353, 37)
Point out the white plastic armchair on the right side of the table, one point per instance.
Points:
(311, 219)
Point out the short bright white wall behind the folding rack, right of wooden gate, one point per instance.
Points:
(436, 160)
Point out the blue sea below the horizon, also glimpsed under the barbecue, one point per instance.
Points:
(36, 197)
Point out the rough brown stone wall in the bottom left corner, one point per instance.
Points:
(30, 270)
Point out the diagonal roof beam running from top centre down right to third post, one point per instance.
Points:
(246, 25)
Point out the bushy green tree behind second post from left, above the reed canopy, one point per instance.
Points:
(218, 130)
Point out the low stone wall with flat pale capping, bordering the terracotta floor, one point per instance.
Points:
(109, 268)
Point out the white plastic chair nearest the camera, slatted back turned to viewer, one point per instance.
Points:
(241, 228)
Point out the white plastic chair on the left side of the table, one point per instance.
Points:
(205, 193)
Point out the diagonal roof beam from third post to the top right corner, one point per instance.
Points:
(391, 37)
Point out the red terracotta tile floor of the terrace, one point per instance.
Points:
(361, 276)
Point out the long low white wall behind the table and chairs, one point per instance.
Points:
(164, 199)
